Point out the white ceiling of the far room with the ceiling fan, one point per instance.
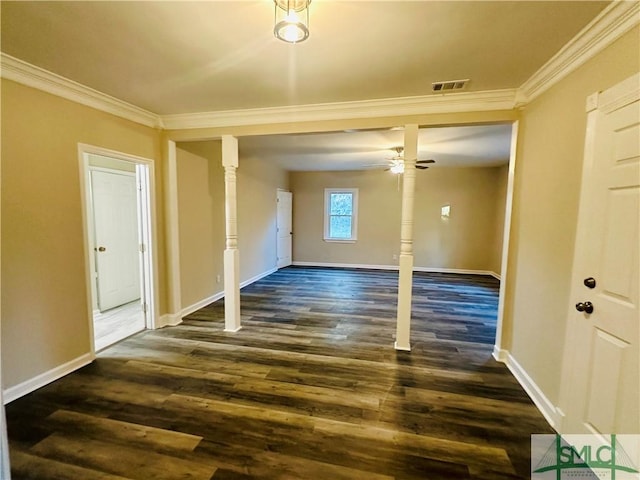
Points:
(477, 146)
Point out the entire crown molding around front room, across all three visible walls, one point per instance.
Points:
(617, 19)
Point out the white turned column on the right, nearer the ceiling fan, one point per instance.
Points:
(405, 279)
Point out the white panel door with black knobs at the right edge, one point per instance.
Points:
(602, 366)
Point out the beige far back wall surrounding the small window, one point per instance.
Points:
(467, 240)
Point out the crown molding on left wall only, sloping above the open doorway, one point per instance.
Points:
(24, 73)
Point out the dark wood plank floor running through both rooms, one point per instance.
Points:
(310, 388)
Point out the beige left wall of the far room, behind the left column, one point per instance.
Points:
(201, 217)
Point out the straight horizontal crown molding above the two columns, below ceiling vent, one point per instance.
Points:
(388, 107)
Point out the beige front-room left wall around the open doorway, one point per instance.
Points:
(45, 319)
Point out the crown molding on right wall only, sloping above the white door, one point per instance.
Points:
(613, 22)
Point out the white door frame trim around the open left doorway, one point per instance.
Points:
(145, 174)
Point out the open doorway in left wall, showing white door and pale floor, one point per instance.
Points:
(118, 244)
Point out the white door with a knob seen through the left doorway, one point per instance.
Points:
(115, 213)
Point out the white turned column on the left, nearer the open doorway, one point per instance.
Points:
(231, 253)
